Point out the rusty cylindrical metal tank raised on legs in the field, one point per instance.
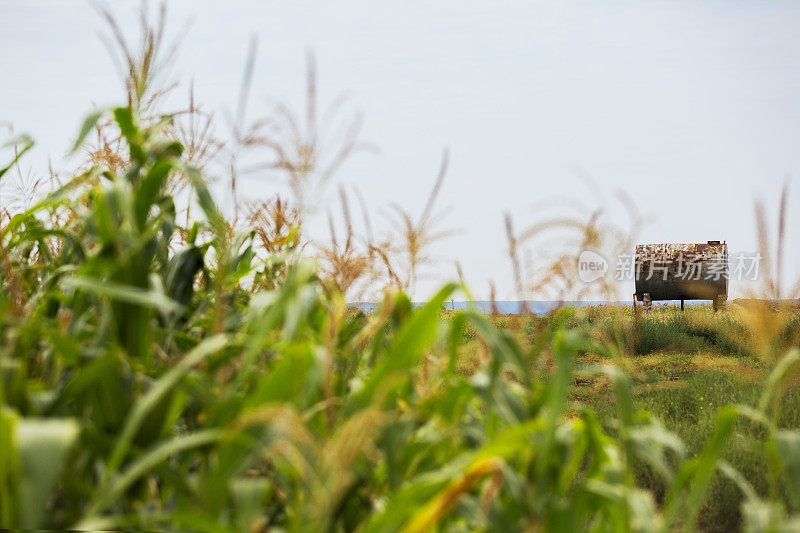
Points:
(682, 272)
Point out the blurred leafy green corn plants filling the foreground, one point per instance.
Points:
(163, 377)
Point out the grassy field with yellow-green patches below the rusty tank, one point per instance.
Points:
(684, 367)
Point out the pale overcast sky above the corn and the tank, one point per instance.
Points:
(690, 107)
